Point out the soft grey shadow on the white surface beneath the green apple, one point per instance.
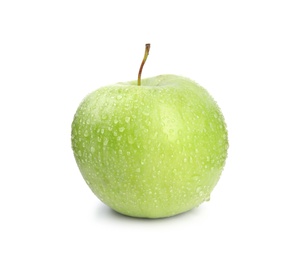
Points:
(105, 212)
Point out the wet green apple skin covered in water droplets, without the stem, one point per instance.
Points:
(150, 151)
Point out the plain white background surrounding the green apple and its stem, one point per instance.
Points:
(250, 55)
